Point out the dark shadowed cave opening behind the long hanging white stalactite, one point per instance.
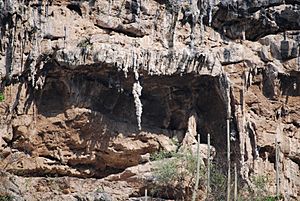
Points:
(168, 101)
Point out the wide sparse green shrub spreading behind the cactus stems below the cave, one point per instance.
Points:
(180, 167)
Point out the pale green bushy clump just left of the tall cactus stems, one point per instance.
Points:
(175, 174)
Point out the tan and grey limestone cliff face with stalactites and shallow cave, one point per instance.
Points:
(92, 88)
